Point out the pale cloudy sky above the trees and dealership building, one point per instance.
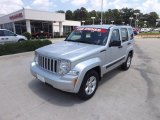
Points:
(146, 6)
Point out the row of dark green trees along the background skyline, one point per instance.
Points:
(116, 15)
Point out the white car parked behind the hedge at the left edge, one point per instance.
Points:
(7, 36)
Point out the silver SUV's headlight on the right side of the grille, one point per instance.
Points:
(64, 67)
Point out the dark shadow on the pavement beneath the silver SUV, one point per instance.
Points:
(60, 98)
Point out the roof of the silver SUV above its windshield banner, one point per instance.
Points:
(105, 26)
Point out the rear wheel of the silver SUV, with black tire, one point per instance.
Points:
(126, 65)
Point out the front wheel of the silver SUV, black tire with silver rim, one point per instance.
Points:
(91, 85)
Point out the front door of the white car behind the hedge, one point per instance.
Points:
(9, 36)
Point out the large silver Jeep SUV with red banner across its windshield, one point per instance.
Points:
(77, 64)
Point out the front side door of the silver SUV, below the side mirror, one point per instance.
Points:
(114, 53)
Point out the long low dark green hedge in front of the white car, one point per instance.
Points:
(20, 47)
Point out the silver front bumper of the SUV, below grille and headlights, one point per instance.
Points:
(64, 83)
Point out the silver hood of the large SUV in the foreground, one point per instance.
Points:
(69, 50)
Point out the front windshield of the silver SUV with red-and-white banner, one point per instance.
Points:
(94, 36)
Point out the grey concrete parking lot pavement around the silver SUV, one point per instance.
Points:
(129, 95)
